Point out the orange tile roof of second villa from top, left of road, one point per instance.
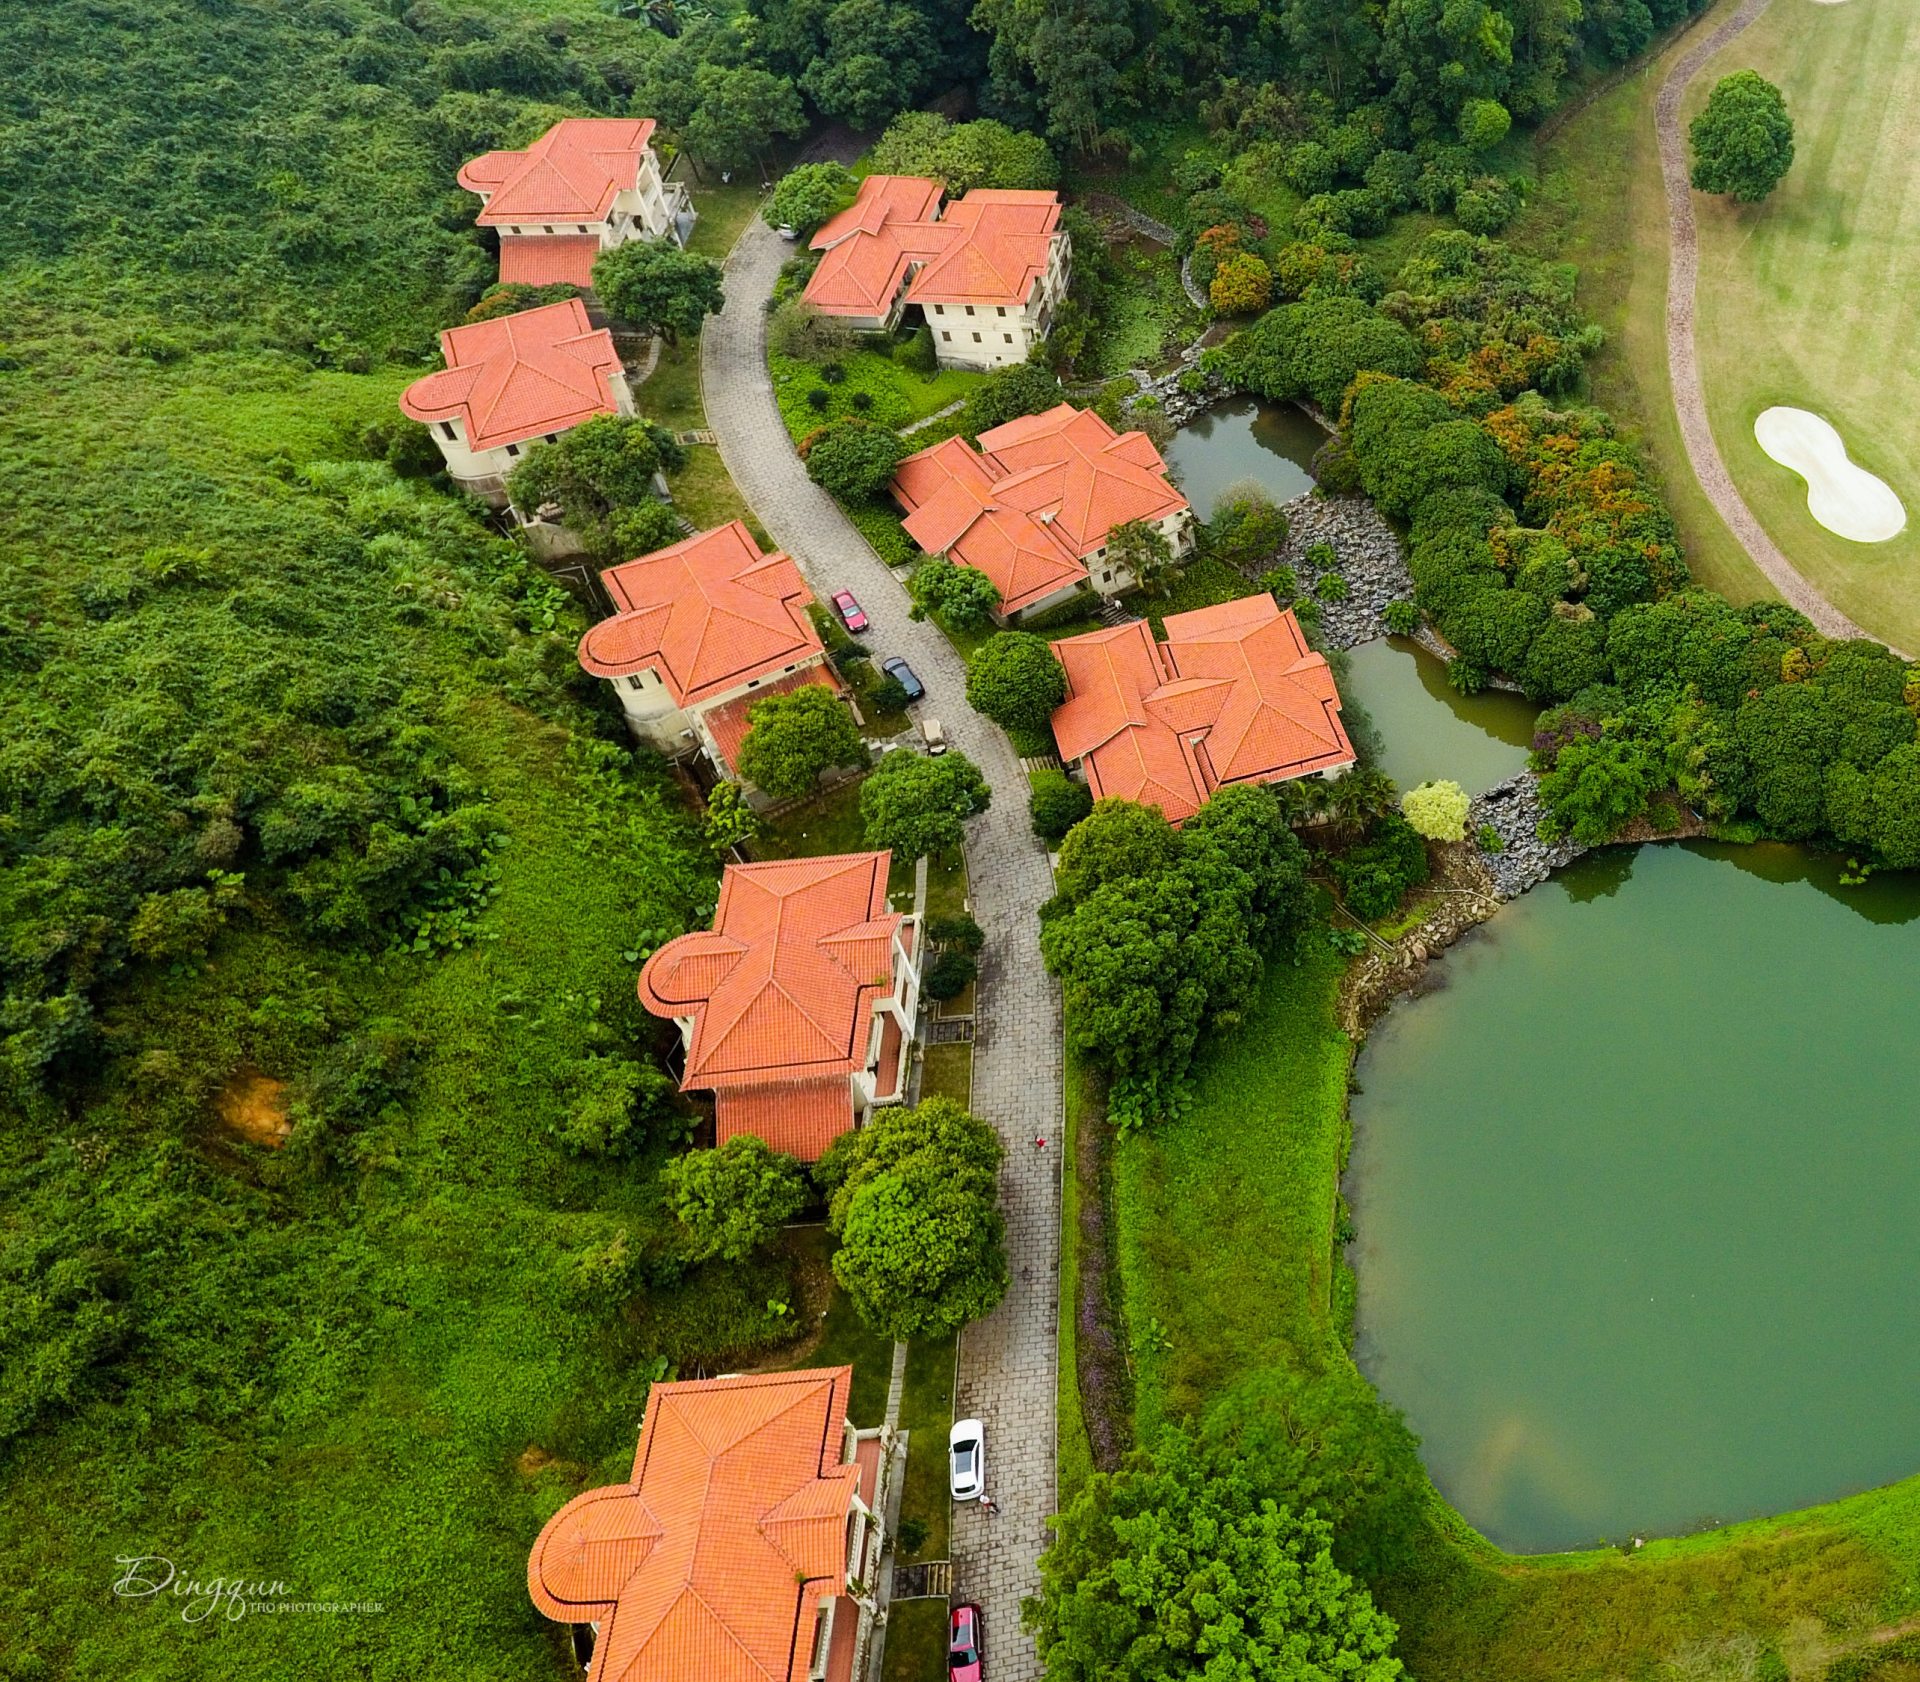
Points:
(519, 377)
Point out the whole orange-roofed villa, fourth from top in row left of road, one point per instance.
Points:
(798, 1007)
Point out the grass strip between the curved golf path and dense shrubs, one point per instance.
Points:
(1600, 206)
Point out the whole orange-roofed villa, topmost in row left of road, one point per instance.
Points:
(587, 185)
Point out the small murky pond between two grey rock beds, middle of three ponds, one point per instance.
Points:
(1426, 729)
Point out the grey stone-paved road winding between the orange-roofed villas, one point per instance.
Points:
(1009, 1360)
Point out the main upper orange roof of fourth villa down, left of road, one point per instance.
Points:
(784, 986)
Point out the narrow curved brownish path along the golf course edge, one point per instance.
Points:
(1683, 354)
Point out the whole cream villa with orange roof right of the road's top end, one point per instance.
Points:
(986, 276)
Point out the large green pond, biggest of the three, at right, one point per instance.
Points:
(1639, 1197)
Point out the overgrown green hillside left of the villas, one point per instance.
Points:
(333, 1247)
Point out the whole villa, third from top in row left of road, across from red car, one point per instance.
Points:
(702, 633)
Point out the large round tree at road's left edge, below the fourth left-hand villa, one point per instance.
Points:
(915, 1199)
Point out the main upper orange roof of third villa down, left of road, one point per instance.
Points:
(709, 613)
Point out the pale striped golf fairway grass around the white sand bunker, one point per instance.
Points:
(1810, 300)
